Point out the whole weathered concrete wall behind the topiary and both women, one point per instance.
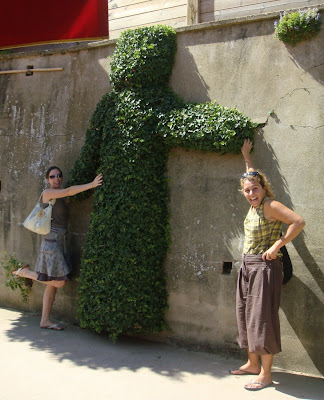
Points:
(43, 119)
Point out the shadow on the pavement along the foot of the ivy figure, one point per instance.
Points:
(96, 351)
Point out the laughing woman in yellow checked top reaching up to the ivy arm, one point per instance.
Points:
(260, 275)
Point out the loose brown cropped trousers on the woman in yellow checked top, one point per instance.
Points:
(257, 304)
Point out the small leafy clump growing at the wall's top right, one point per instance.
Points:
(297, 26)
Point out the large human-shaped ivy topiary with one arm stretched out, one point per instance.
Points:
(122, 284)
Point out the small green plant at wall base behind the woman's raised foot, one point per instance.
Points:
(9, 263)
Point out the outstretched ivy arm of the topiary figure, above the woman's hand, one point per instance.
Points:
(208, 127)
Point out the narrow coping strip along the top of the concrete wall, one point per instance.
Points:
(191, 28)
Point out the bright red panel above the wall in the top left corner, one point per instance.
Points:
(25, 23)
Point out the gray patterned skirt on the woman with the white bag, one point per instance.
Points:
(53, 261)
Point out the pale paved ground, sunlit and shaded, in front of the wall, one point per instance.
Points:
(76, 364)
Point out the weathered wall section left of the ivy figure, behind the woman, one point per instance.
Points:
(43, 122)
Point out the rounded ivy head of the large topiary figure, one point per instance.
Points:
(144, 57)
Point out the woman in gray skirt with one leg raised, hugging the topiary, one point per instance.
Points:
(53, 266)
